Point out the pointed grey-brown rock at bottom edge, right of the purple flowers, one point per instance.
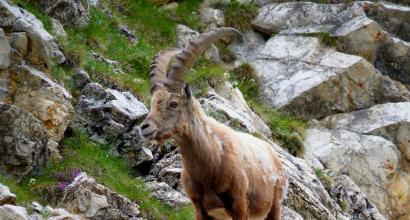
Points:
(91, 200)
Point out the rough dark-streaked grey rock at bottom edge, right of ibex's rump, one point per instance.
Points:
(355, 202)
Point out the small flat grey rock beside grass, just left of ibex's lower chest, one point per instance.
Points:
(167, 194)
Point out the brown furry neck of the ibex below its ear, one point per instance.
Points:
(200, 148)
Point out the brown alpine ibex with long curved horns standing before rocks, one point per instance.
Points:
(227, 174)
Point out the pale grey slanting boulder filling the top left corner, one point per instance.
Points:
(42, 49)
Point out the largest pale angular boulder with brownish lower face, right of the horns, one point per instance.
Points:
(300, 75)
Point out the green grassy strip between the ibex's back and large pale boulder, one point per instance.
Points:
(285, 129)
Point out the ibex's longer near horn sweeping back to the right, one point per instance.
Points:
(186, 59)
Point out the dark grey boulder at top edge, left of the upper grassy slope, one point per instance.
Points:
(68, 12)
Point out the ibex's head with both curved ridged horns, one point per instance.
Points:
(171, 104)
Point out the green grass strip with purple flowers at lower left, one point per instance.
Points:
(97, 161)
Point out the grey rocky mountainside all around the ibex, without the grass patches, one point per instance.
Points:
(344, 68)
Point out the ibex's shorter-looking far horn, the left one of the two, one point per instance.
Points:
(159, 65)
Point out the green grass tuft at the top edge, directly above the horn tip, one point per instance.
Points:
(238, 15)
